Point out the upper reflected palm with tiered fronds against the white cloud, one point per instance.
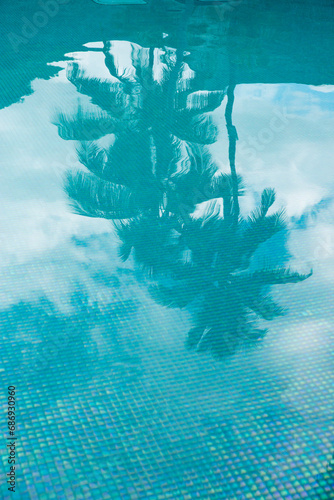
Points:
(155, 117)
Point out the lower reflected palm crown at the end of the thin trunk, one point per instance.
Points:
(228, 297)
